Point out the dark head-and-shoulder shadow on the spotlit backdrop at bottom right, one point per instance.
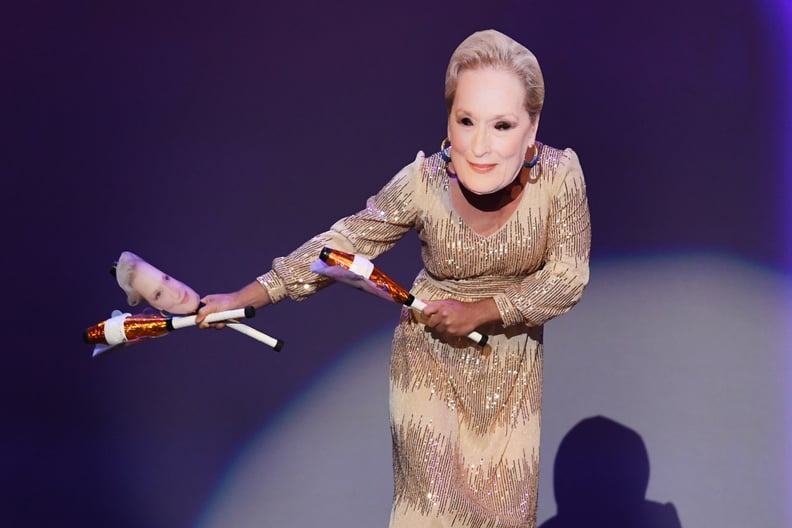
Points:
(600, 478)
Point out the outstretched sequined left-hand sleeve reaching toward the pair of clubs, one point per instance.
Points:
(388, 216)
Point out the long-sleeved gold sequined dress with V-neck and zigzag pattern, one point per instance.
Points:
(465, 421)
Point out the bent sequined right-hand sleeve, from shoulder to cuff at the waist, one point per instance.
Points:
(558, 286)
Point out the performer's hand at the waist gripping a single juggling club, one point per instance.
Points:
(456, 318)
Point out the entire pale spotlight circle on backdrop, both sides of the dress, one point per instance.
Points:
(690, 351)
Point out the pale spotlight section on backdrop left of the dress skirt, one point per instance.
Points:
(325, 460)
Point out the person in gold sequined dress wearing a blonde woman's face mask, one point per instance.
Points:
(504, 227)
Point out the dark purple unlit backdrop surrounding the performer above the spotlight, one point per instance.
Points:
(211, 137)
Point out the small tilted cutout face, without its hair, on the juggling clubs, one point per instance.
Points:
(162, 291)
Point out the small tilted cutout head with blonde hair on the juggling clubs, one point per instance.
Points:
(142, 281)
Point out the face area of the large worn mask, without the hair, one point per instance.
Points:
(489, 128)
